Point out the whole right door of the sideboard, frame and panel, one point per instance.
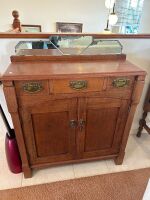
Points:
(102, 122)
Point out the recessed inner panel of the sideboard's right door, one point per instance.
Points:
(100, 128)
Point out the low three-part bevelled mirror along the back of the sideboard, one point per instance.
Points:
(69, 45)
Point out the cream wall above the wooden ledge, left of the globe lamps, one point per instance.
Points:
(92, 13)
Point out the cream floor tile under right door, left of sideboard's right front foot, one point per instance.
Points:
(90, 168)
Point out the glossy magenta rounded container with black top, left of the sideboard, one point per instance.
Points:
(12, 154)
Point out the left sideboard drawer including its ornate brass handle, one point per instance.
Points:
(32, 87)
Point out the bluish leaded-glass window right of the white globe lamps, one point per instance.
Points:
(129, 15)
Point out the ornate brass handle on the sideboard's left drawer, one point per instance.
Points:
(32, 87)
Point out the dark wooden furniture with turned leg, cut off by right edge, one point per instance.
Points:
(146, 109)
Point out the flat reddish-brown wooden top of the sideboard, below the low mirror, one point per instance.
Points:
(70, 69)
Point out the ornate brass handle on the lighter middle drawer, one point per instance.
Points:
(78, 85)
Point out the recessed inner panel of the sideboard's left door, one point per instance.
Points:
(51, 140)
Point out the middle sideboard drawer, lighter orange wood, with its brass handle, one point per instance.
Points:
(77, 85)
